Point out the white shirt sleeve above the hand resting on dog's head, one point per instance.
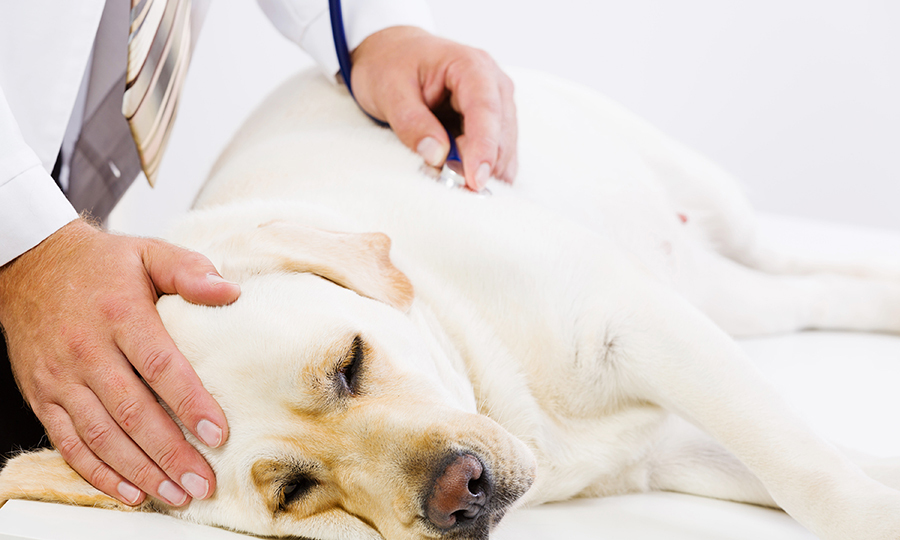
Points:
(31, 205)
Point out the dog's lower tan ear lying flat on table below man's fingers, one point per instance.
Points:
(44, 476)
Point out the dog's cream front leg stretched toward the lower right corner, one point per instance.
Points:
(682, 361)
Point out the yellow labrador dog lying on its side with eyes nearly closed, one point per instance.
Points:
(409, 361)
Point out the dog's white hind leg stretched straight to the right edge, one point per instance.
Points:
(747, 302)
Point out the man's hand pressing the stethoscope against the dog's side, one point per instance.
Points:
(401, 73)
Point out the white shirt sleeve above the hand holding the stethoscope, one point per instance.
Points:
(306, 23)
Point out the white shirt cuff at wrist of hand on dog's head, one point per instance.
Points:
(31, 208)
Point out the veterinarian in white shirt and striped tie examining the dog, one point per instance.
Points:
(77, 304)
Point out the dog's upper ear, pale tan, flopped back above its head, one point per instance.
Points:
(358, 261)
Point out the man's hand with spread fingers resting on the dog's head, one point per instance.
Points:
(81, 323)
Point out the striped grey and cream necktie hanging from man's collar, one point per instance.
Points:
(131, 98)
